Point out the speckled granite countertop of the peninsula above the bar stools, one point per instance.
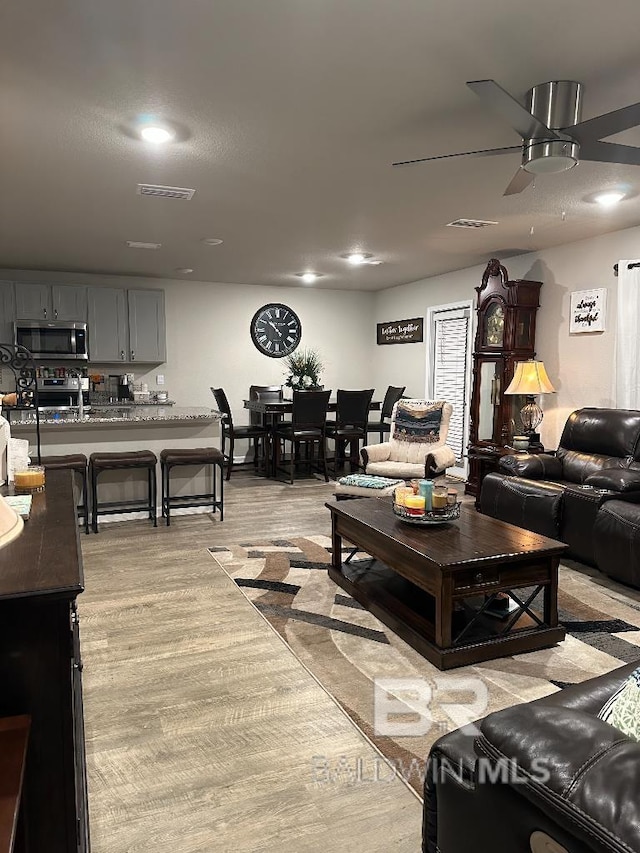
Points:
(114, 416)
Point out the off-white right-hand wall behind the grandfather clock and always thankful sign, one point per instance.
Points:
(581, 367)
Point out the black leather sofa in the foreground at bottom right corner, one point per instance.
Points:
(547, 776)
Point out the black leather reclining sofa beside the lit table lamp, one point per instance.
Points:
(586, 493)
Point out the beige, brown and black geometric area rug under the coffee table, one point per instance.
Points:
(400, 701)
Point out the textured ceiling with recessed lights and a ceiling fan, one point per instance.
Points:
(291, 112)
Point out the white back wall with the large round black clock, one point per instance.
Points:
(208, 341)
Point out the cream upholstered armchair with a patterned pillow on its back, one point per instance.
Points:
(417, 442)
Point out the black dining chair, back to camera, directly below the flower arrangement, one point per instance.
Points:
(307, 428)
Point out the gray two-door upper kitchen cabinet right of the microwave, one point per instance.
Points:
(126, 325)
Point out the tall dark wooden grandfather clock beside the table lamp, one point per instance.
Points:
(505, 333)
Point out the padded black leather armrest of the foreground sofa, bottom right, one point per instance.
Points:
(571, 765)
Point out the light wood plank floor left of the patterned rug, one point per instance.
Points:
(204, 733)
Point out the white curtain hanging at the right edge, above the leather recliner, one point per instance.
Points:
(627, 382)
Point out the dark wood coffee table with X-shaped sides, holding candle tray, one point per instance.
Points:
(437, 587)
